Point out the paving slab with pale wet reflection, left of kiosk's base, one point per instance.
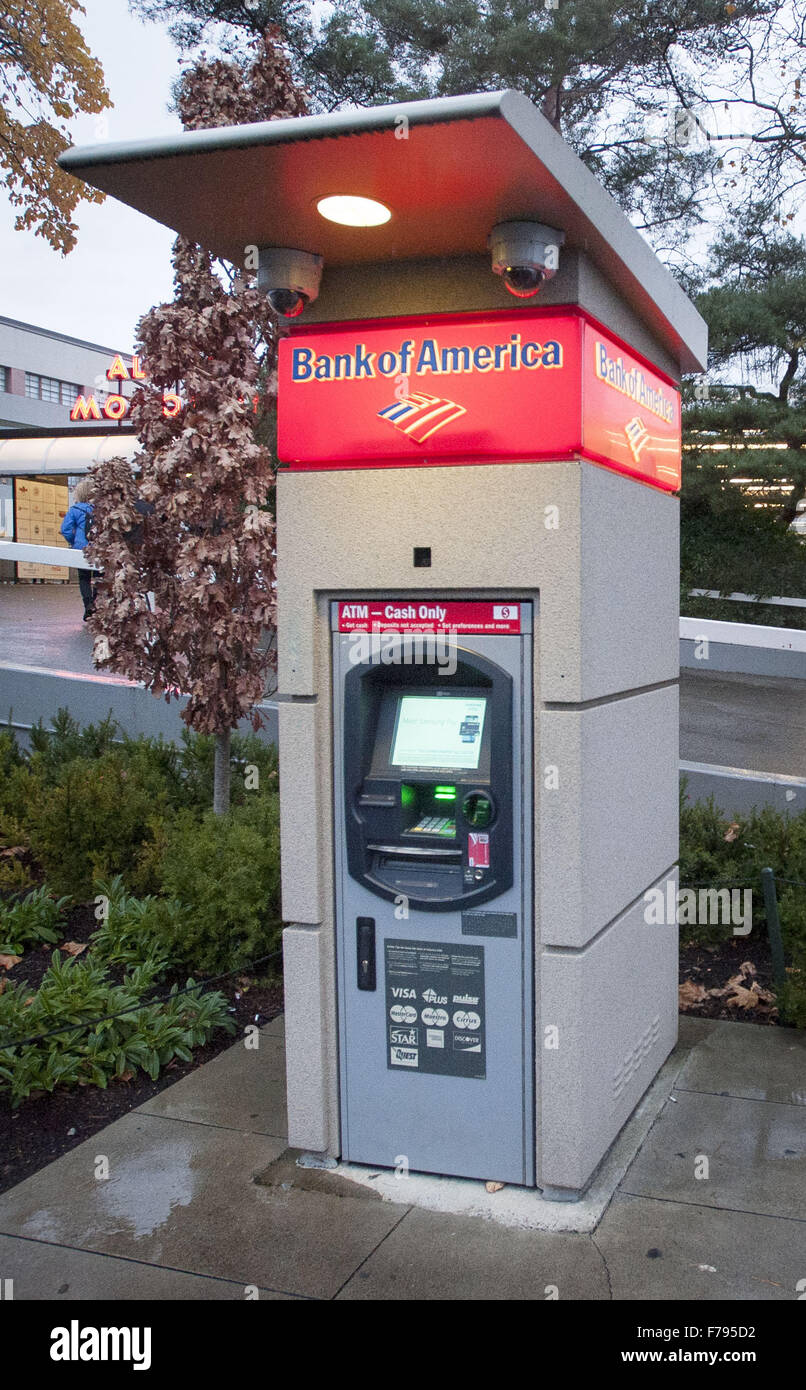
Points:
(186, 1196)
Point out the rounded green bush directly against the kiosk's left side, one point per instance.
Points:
(226, 872)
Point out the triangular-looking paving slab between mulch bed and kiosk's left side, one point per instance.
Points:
(242, 1089)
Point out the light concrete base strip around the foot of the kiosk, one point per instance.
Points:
(525, 1207)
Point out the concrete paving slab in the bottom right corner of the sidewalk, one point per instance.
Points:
(665, 1252)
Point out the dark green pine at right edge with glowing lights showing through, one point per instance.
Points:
(736, 533)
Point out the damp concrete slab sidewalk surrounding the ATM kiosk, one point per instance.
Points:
(204, 1200)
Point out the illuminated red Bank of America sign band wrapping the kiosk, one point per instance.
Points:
(540, 384)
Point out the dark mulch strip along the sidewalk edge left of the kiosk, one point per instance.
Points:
(47, 1127)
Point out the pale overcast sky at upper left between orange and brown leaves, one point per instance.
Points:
(122, 265)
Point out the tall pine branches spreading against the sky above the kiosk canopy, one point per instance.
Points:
(657, 97)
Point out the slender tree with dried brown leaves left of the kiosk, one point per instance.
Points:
(204, 544)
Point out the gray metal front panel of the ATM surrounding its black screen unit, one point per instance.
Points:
(443, 1124)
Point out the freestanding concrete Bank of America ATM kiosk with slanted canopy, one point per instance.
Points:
(579, 539)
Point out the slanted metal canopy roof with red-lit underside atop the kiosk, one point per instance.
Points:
(468, 163)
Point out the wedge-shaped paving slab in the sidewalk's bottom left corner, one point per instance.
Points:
(54, 1274)
